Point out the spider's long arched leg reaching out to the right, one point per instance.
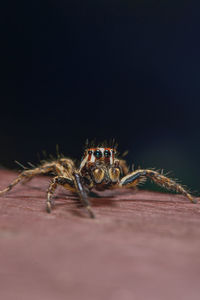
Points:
(138, 176)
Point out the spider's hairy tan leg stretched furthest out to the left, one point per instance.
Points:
(54, 167)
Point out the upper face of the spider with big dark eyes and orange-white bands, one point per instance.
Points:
(98, 155)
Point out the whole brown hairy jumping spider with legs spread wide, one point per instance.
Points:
(99, 169)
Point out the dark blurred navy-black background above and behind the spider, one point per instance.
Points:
(73, 70)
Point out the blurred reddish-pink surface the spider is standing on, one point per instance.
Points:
(142, 245)
